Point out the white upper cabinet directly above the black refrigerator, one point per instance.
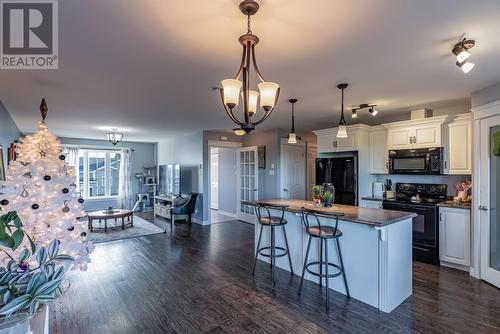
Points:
(328, 141)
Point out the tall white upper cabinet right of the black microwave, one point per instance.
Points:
(459, 155)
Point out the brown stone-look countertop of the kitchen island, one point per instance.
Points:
(355, 214)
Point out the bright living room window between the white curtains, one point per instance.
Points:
(99, 173)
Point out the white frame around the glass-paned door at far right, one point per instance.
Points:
(480, 113)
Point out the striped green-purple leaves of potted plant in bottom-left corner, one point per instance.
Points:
(25, 289)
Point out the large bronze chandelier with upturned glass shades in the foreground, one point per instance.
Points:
(232, 88)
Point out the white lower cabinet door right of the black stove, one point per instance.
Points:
(454, 235)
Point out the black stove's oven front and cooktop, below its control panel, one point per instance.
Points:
(425, 229)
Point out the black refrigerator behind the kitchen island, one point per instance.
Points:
(343, 173)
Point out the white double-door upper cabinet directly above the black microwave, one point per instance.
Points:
(419, 133)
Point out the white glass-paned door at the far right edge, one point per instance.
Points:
(489, 200)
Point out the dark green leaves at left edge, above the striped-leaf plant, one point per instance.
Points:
(11, 232)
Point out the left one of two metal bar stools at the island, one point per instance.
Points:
(272, 222)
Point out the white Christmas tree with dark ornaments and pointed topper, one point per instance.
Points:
(41, 187)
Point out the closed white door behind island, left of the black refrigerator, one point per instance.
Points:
(293, 171)
